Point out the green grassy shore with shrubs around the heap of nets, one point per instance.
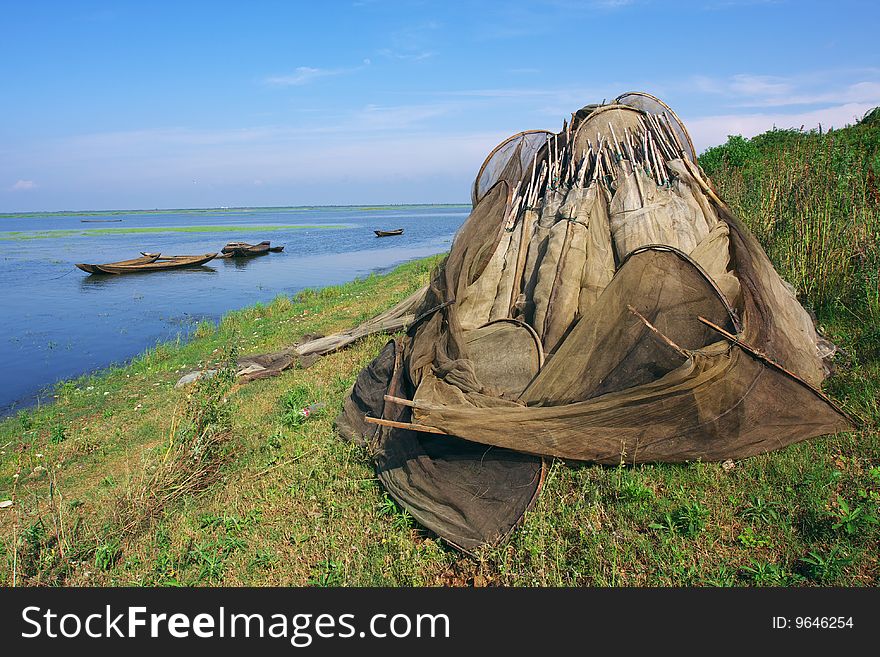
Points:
(125, 480)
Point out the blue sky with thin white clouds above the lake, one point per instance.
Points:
(163, 105)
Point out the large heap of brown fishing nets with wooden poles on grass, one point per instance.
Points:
(600, 303)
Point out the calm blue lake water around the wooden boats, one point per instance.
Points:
(59, 322)
